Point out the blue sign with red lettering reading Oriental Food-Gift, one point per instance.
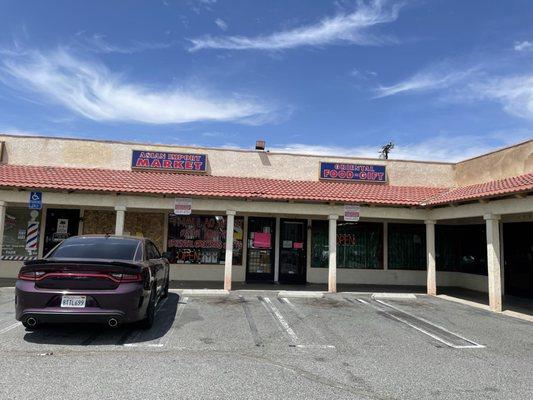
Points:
(352, 172)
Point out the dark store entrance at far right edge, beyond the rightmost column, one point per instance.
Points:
(518, 259)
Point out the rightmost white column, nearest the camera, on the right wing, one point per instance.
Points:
(492, 223)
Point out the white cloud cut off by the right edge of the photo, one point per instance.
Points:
(514, 93)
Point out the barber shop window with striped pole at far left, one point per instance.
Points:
(21, 234)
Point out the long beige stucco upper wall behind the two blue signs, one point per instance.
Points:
(221, 162)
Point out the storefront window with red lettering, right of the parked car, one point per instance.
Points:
(201, 239)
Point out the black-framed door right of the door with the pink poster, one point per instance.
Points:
(293, 251)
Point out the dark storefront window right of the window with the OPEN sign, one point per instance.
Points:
(407, 246)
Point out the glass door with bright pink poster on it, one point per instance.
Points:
(260, 257)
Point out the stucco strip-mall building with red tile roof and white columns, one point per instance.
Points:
(238, 215)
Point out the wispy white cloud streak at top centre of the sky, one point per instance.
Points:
(344, 27)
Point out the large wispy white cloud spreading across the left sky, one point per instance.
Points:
(91, 90)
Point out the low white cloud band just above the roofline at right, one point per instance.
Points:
(439, 148)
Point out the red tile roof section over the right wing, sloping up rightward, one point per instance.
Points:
(501, 187)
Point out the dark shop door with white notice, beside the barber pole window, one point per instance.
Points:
(60, 224)
